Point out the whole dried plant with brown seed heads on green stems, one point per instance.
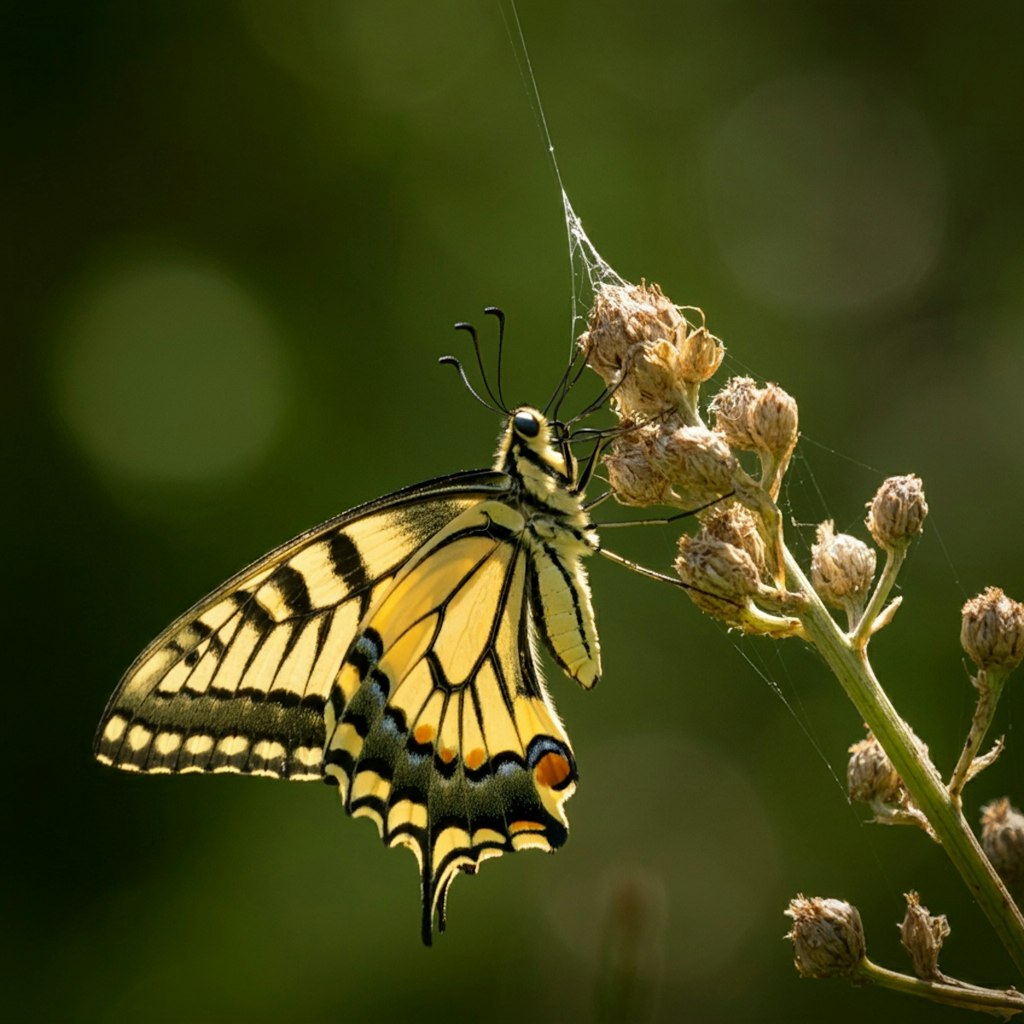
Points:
(728, 473)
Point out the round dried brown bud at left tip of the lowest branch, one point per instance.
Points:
(828, 937)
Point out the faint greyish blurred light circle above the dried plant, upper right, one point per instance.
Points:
(826, 194)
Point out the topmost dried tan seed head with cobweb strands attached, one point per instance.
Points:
(639, 340)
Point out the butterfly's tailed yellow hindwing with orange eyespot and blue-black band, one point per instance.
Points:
(440, 729)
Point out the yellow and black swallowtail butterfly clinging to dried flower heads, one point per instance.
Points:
(393, 653)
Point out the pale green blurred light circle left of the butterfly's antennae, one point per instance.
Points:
(168, 371)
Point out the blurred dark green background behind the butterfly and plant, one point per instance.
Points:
(238, 237)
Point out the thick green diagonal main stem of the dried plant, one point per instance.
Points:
(855, 673)
